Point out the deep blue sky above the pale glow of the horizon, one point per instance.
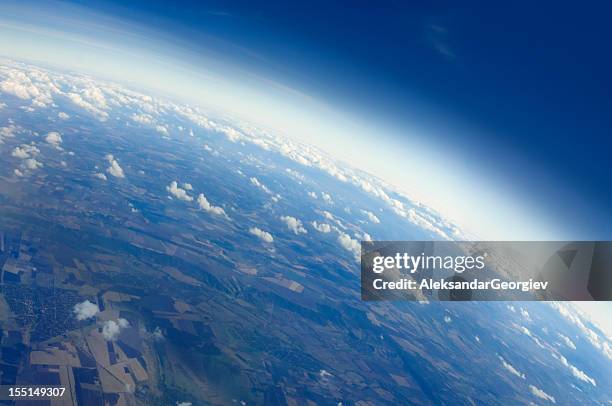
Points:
(524, 88)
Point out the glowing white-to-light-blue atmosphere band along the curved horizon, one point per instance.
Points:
(462, 182)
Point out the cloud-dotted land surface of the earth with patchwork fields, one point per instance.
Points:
(153, 254)
